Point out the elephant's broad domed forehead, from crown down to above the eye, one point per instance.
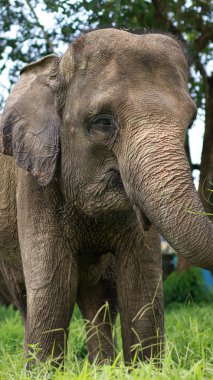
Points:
(108, 63)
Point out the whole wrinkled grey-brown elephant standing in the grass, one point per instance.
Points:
(98, 139)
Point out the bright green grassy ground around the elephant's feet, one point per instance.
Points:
(189, 350)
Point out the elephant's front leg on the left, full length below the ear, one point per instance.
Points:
(50, 270)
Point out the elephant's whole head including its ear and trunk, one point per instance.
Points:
(111, 116)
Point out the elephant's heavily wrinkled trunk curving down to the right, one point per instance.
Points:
(158, 181)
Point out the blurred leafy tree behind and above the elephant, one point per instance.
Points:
(26, 36)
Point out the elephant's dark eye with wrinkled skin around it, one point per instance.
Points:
(102, 128)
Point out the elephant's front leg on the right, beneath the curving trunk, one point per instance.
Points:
(140, 296)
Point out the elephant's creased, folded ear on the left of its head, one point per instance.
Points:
(29, 128)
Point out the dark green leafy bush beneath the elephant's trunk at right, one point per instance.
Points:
(186, 286)
